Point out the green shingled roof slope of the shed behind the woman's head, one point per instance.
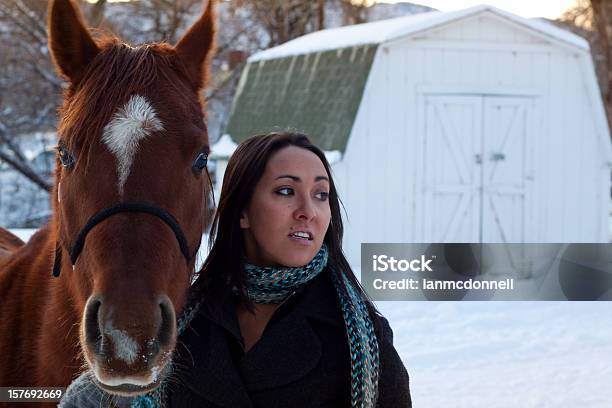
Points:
(317, 94)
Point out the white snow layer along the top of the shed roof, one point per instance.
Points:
(385, 30)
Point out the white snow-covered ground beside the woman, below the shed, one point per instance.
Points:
(502, 354)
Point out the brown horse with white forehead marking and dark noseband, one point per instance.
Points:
(129, 209)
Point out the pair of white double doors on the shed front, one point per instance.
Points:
(475, 169)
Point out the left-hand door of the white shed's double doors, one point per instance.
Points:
(452, 177)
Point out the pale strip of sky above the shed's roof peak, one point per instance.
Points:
(524, 8)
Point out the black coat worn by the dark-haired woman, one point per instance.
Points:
(301, 360)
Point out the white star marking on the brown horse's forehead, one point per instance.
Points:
(130, 124)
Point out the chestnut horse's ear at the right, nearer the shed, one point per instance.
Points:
(196, 46)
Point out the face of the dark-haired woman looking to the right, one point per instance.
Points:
(288, 215)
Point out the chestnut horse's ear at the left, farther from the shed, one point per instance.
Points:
(70, 43)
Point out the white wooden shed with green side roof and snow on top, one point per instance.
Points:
(467, 126)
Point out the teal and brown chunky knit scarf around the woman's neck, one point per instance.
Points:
(274, 285)
